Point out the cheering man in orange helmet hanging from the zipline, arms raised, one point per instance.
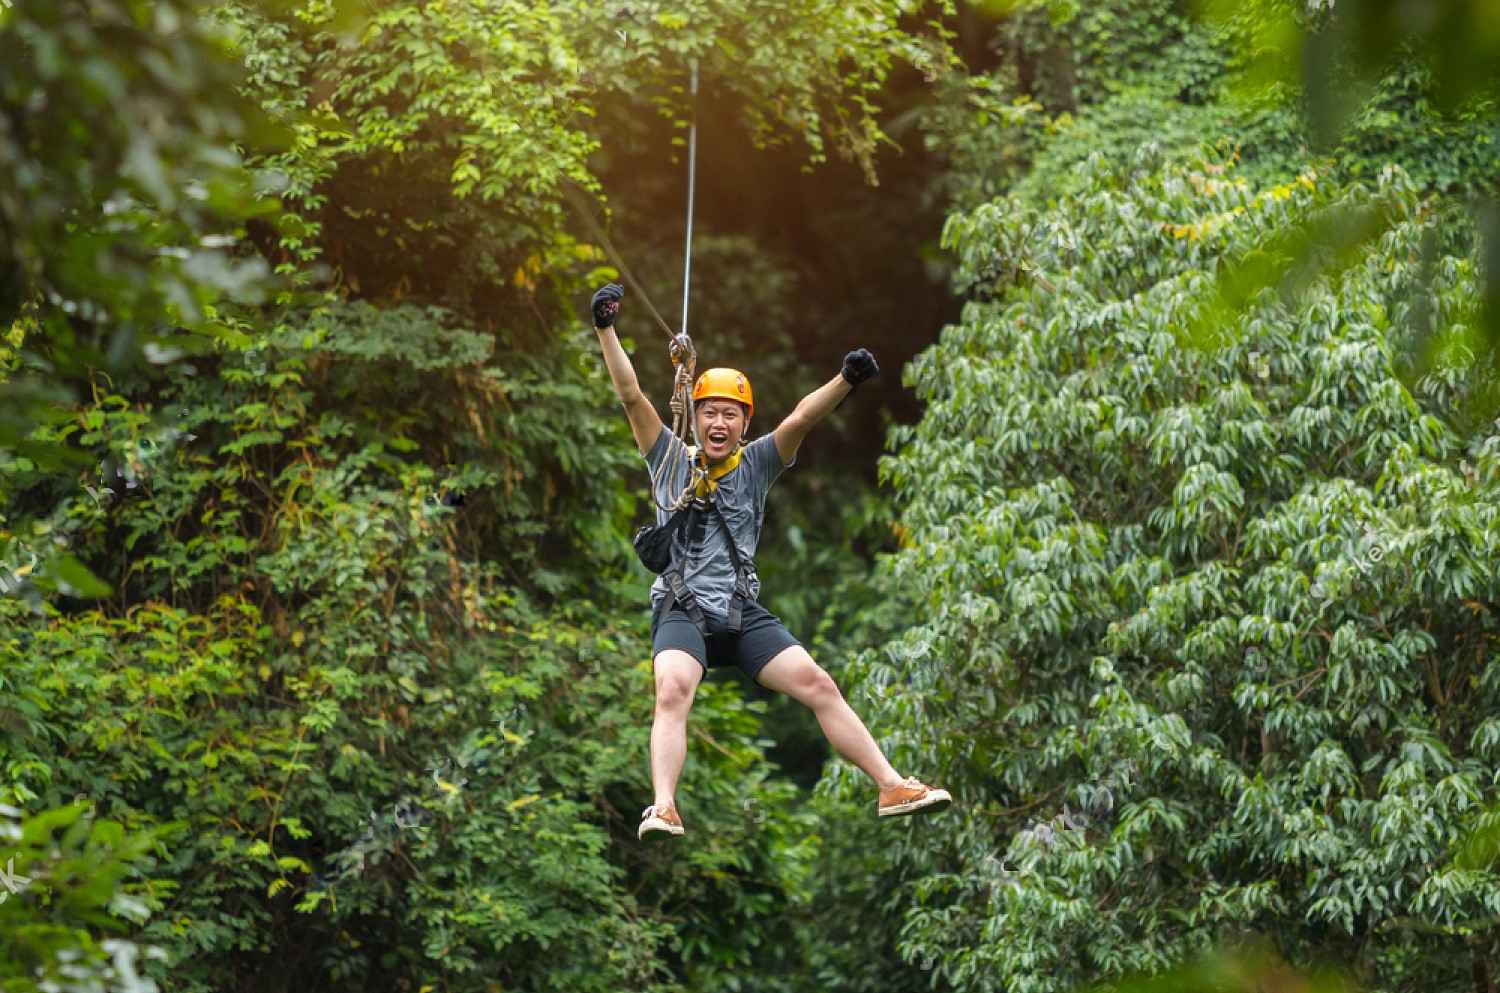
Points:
(704, 604)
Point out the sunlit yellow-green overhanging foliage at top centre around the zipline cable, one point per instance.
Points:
(472, 121)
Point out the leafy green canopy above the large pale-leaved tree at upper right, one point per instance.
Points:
(1114, 79)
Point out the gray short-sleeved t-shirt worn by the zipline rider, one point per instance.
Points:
(742, 497)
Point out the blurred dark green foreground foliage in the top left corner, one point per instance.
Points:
(122, 194)
